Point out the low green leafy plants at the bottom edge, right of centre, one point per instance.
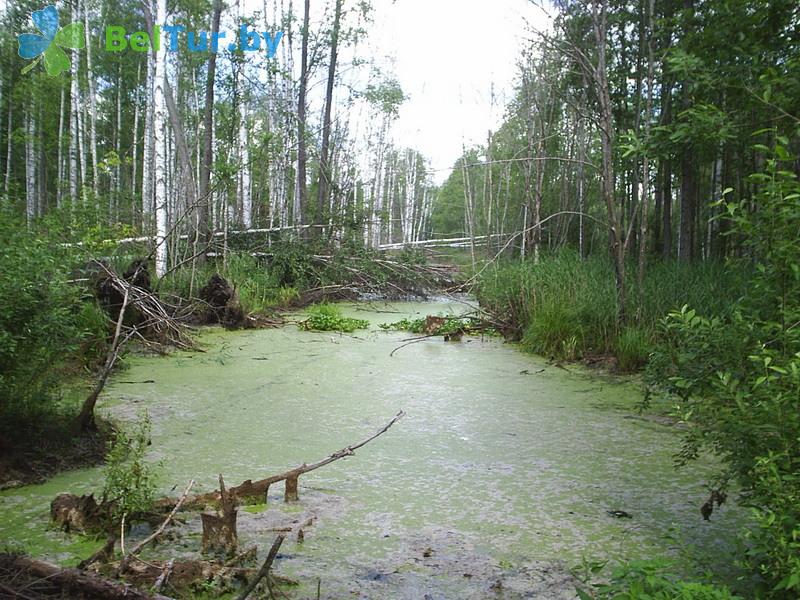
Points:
(651, 580)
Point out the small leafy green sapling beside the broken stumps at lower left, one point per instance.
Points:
(130, 480)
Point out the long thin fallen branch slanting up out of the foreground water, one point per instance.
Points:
(254, 492)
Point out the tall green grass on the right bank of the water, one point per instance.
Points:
(565, 307)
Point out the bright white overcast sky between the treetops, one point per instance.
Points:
(450, 56)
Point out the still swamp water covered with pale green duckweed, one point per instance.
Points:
(494, 484)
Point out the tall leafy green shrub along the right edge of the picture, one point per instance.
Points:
(735, 378)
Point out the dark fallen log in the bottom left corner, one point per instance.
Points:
(64, 583)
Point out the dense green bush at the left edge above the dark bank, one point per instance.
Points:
(42, 319)
